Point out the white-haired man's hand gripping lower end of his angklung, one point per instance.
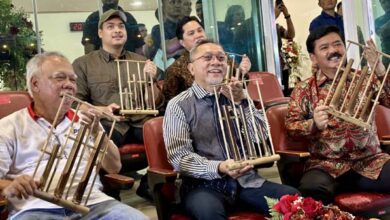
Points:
(21, 187)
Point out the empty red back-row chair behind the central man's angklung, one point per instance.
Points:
(270, 88)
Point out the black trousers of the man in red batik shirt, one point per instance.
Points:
(320, 185)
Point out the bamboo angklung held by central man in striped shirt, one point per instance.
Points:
(246, 138)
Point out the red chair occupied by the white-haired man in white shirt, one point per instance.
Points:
(11, 101)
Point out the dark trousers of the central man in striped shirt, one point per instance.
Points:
(205, 202)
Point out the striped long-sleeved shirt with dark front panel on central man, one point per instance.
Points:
(193, 138)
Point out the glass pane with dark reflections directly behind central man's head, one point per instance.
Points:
(236, 25)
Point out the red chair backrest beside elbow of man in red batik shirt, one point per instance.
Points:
(276, 117)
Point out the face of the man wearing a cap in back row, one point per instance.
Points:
(113, 33)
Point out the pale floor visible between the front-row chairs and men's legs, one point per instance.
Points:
(129, 196)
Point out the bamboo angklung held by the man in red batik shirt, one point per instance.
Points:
(354, 93)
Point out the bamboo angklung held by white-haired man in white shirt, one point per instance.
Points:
(86, 146)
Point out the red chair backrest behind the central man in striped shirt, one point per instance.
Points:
(154, 144)
